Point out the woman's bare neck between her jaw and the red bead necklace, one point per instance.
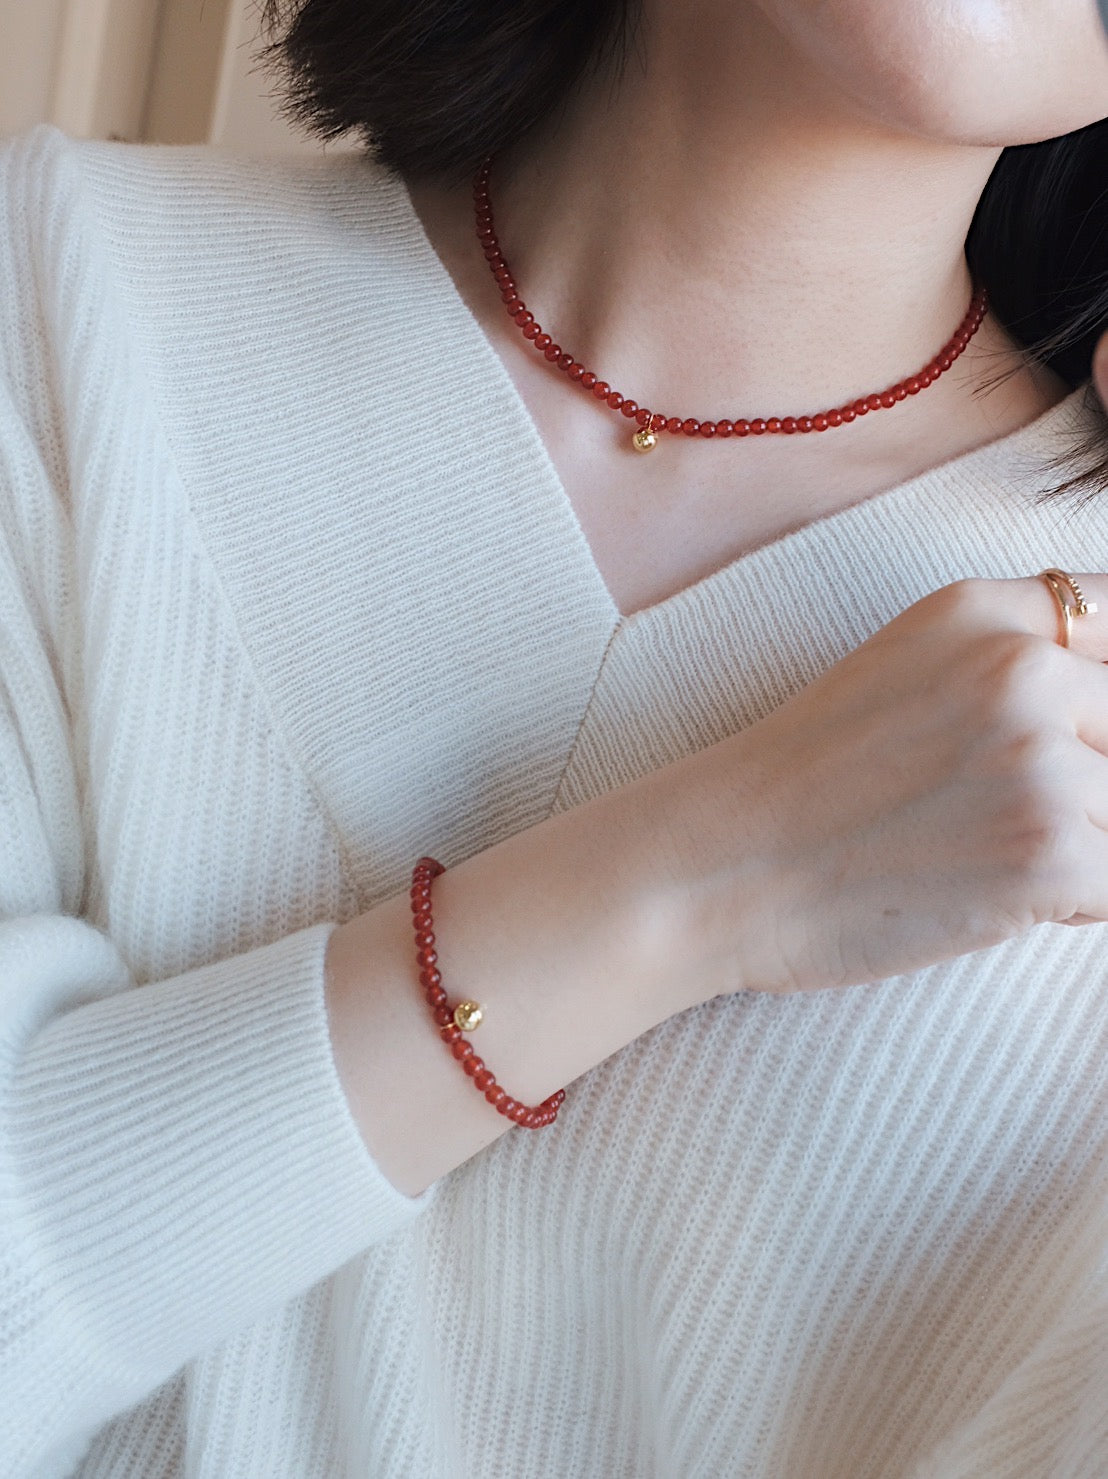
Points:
(718, 236)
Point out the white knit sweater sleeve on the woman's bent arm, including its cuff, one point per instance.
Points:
(178, 1157)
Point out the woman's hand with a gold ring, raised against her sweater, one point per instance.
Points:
(940, 791)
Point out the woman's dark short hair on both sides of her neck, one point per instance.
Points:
(436, 87)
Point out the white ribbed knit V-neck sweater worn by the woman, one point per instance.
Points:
(267, 635)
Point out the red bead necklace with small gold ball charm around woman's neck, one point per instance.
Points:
(653, 424)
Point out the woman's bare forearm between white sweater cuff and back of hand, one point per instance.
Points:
(573, 935)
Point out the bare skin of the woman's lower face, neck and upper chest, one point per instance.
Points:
(763, 215)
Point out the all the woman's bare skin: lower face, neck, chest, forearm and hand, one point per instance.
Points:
(764, 217)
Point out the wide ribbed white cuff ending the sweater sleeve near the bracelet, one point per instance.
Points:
(187, 1159)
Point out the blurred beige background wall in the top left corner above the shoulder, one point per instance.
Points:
(169, 72)
